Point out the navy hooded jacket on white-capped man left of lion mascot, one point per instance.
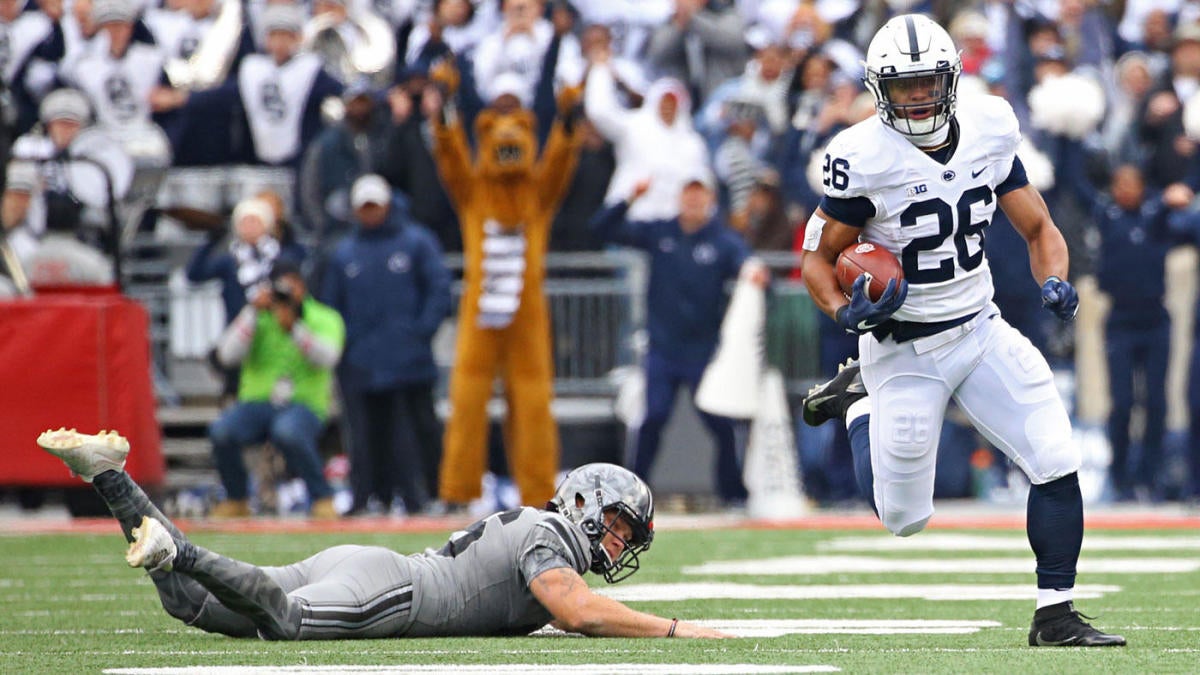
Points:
(393, 290)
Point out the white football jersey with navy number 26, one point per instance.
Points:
(932, 217)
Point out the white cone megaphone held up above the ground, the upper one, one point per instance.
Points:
(730, 386)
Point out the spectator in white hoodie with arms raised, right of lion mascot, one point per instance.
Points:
(656, 141)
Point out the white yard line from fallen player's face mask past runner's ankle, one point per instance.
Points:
(665, 593)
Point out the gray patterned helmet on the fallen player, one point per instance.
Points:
(592, 491)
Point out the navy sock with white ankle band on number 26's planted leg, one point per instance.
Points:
(1054, 522)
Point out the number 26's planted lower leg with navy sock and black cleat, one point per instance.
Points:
(1055, 527)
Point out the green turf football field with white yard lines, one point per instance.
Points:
(856, 601)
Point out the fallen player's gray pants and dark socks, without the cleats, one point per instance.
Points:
(338, 594)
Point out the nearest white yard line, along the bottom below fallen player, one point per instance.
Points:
(520, 668)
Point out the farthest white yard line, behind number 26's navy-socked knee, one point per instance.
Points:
(950, 542)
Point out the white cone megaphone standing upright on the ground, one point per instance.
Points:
(772, 468)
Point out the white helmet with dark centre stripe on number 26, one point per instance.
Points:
(913, 55)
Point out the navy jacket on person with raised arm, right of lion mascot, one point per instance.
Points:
(686, 298)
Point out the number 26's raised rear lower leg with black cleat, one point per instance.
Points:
(845, 398)
